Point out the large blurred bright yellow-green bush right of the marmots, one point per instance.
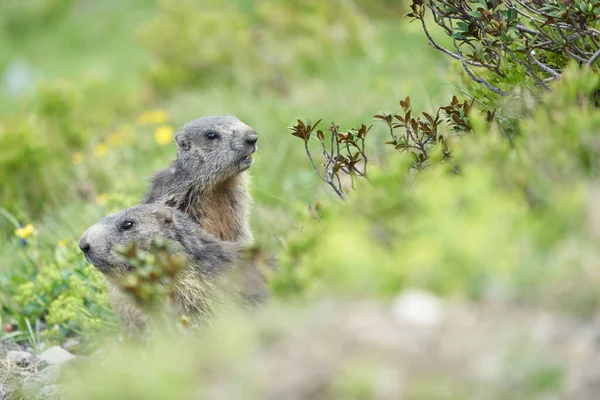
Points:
(511, 224)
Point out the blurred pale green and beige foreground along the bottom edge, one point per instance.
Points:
(330, 352)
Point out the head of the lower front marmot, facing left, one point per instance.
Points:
(138, 224)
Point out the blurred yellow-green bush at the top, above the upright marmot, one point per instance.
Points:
(194, 43)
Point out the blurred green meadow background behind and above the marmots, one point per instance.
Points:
(77, 74)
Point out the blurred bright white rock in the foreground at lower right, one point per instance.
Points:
(419, 308)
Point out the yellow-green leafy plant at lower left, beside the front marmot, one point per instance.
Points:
(67, 296)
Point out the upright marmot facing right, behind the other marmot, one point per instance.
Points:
(207, 181)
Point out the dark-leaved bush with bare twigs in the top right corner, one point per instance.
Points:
(526, 42)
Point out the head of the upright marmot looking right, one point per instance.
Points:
(222, 147)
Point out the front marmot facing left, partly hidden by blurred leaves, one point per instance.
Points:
(207, 258)
